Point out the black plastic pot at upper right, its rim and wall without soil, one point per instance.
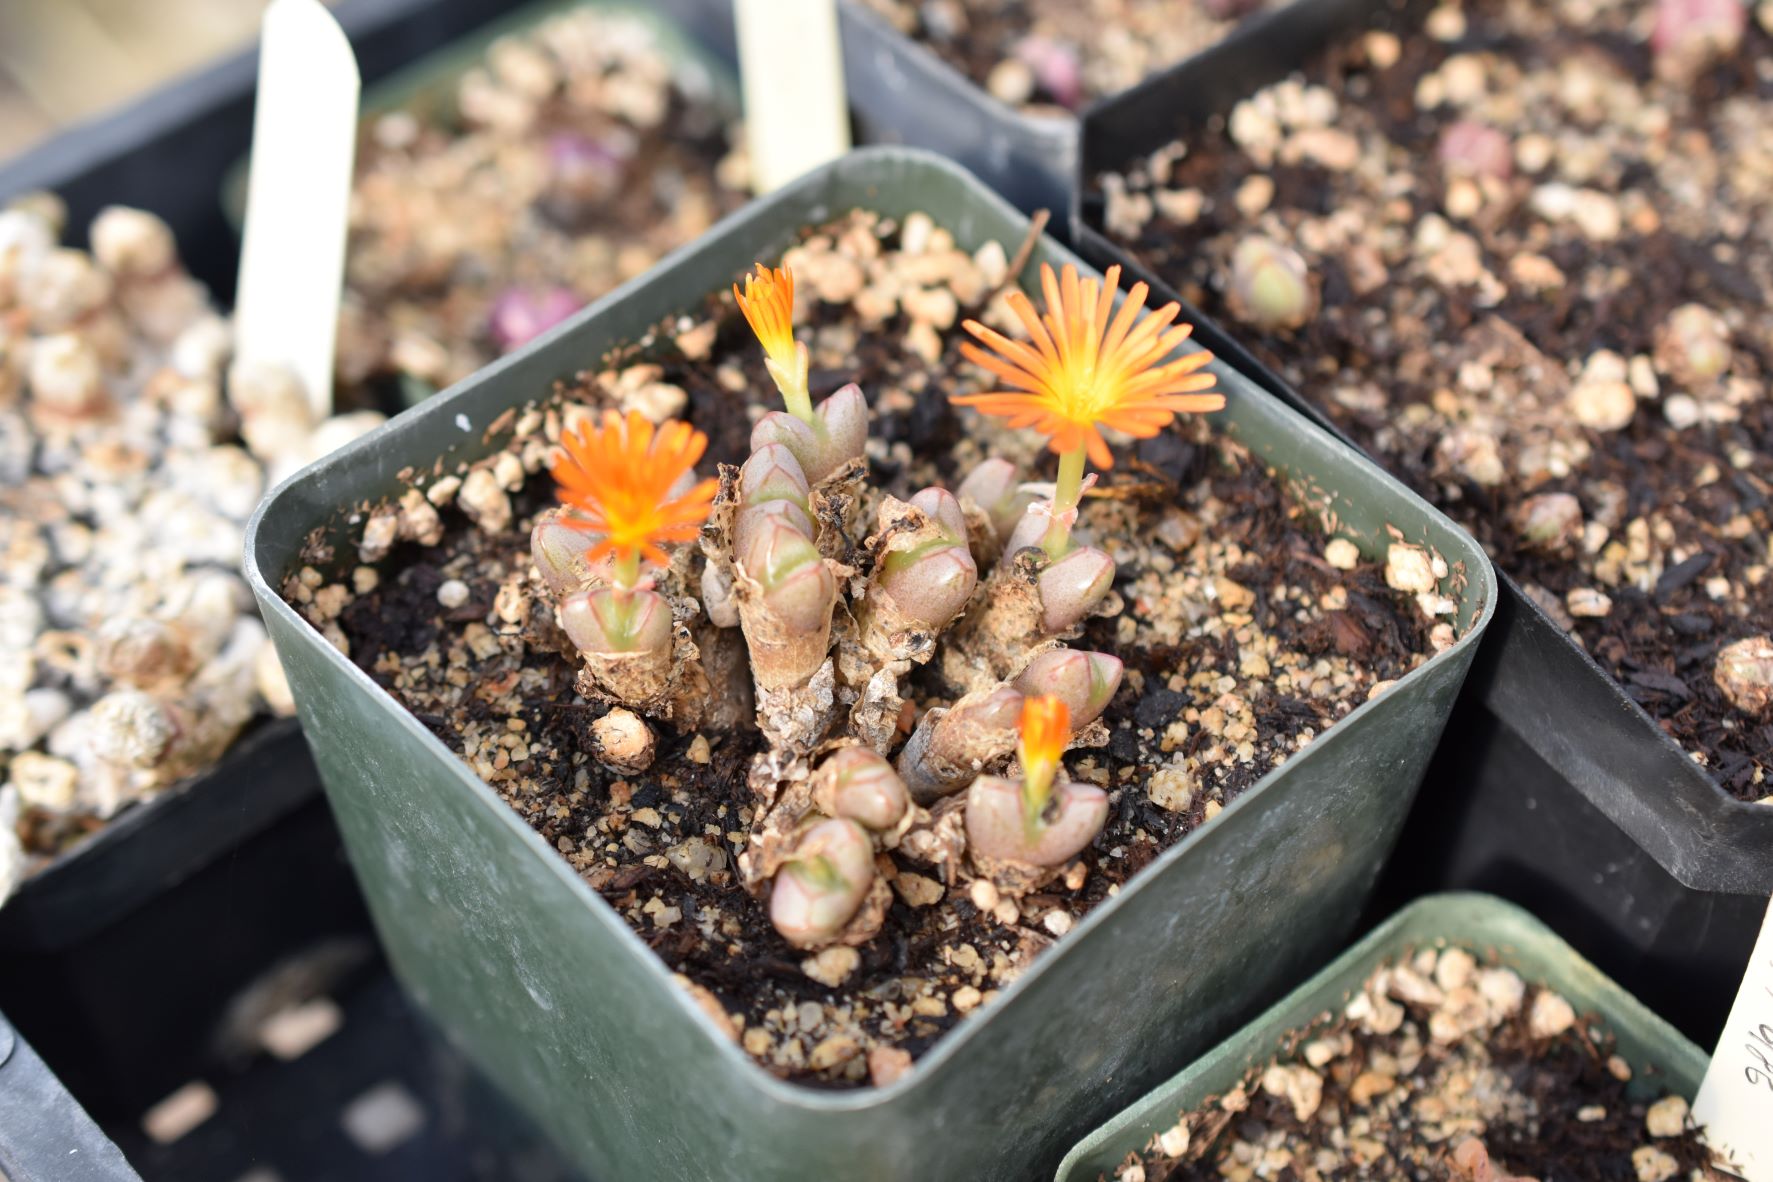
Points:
(1556, 788)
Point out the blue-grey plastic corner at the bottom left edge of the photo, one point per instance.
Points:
(45, 1137)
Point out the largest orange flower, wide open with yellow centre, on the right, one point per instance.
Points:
(1086, 371)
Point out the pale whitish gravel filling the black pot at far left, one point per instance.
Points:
(130, 458)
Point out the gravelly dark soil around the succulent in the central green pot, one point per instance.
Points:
(1246, 634)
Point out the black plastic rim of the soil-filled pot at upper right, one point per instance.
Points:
(1703, 836)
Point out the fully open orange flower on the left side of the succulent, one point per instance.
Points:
(620, 478)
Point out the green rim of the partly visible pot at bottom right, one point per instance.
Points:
(1469, 921)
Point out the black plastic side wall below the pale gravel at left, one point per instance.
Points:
(125, 954)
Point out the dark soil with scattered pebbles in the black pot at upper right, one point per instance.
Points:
(1526, 256)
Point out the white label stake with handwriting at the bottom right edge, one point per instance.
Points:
(1737, 1098)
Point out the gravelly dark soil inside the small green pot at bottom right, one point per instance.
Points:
(1441, 1068)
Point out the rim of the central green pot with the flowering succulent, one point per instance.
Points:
(320, 497)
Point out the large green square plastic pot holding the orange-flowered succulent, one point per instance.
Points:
(558, 999)
